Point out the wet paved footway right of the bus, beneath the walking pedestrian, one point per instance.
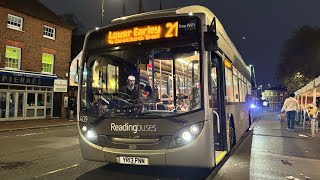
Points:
(272, 152)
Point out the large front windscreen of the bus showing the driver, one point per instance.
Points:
(135, 81)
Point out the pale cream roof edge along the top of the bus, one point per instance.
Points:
(225, 44)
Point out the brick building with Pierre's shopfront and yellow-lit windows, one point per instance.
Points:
(35, 48)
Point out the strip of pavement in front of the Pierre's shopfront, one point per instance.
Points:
(34, 124)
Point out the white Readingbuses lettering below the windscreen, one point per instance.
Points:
(134, 128)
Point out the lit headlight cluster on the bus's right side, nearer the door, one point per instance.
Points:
(186, 135)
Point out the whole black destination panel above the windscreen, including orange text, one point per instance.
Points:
(184, 28)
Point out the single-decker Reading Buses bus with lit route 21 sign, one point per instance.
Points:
(162, 88)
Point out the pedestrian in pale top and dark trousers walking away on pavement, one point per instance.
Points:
(290, 106)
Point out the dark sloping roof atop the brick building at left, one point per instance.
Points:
(35, 9)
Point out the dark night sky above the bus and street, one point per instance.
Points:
(258, 28)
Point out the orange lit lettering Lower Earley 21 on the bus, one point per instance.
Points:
(144, 33)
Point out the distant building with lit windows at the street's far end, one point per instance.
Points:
(275, 97)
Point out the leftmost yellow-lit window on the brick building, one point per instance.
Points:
(13, 57)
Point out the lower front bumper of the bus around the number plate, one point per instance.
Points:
(198, 153)
